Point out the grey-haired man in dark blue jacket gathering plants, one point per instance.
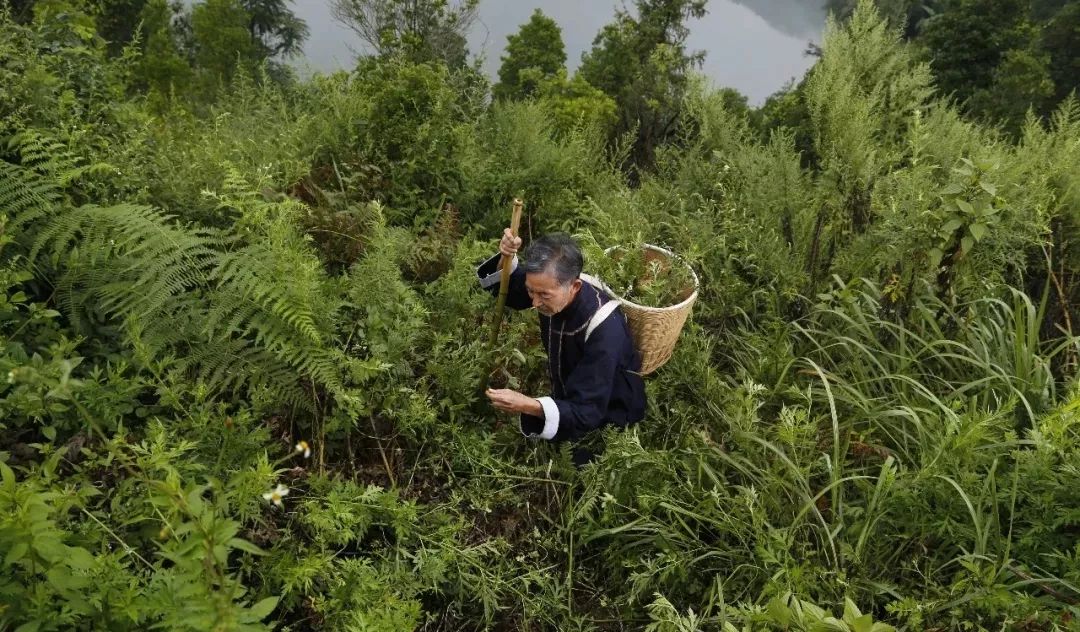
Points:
(591, 358)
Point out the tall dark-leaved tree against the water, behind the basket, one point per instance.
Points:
(642, 63)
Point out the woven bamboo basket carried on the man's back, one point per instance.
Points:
(656, 330)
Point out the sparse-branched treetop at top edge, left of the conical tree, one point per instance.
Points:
(421, 31)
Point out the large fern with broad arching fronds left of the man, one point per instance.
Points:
(239, 312)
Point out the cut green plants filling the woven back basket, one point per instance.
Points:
(639, 274)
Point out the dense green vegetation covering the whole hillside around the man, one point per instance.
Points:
(210, 267)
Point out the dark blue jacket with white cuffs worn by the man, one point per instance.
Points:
(593, 383)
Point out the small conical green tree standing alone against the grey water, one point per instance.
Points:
(535, 53)
